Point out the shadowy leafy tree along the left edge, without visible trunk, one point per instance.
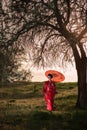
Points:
(10, 56)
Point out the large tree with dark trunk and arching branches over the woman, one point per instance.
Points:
(61, 26)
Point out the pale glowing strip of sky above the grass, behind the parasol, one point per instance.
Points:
(69, 73)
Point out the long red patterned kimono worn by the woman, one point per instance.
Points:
(49, 91)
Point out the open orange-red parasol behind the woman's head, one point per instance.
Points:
(57, 76)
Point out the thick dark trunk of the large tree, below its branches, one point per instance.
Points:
(81, 67)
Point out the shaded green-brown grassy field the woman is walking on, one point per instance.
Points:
(22, 107)
